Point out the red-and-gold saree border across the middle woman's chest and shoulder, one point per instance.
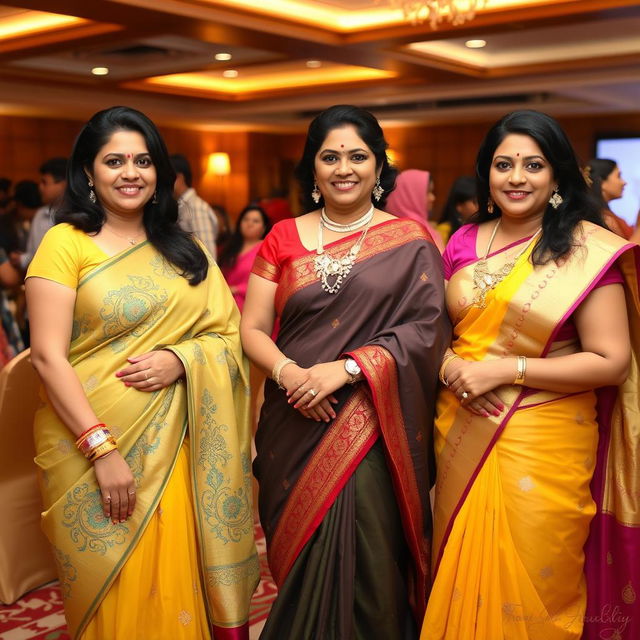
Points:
(389, 235)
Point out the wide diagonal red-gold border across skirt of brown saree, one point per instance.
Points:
(346, 442)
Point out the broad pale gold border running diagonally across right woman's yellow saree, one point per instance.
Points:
(533, 316)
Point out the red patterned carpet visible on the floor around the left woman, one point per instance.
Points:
(38, 615)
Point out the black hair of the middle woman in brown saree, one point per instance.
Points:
(368, 129)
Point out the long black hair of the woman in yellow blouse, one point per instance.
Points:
(160, 219)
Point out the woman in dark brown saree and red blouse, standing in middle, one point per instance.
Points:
(344, 439)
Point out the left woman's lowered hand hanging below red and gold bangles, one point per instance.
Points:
(117, 486)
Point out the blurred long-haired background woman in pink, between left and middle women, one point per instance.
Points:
(237, 259)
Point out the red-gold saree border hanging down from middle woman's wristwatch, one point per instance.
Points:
(380, 370)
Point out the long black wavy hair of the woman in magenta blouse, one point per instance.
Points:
(558, 225)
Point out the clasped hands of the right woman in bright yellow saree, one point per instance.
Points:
(479, 380)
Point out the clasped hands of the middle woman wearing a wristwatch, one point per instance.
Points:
(310, 391)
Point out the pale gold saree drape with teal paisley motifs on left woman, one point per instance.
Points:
(133, 303)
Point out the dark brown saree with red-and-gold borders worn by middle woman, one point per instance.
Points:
(326, 489)
